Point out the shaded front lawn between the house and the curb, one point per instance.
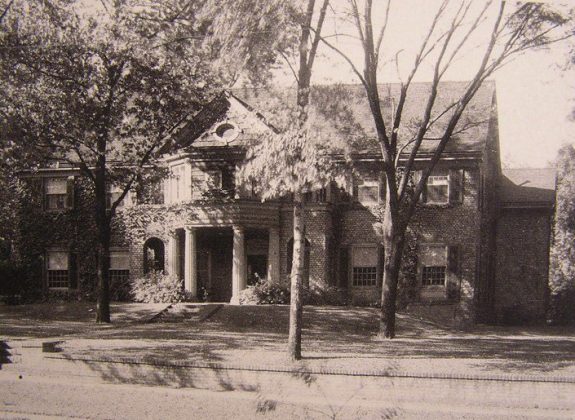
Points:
(341, 339)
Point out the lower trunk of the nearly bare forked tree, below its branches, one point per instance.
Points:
(393, 241)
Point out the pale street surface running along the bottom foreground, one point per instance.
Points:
(37, 396)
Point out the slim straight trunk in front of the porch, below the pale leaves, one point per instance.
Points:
(296, 304)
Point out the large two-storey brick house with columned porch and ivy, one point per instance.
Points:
(218, 237)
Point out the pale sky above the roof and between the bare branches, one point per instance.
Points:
(535, 92)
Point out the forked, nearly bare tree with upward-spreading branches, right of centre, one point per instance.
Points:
(453, 30)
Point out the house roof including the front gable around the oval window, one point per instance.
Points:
(341, 109)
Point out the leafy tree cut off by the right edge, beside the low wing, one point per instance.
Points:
(562, 270)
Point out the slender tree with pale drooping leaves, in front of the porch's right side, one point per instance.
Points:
(289, 162)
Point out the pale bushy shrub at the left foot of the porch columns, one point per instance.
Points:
(157, 287)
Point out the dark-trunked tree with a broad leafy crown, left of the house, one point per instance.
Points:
(100, 86)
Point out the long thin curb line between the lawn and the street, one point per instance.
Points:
(303, 371)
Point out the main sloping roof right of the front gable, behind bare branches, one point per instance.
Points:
(349, 103)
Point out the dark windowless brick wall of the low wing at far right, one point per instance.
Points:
(522, 265)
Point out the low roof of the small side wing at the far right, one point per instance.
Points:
(527, 187)
